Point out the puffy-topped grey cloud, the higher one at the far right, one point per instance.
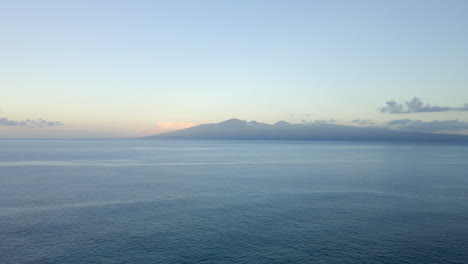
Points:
(417, 106)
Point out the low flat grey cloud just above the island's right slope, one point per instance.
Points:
(433, 126)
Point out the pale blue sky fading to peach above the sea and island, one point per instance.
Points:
(118, 69)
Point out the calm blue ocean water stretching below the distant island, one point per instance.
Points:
(137, 201)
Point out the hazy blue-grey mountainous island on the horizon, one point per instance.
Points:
(236, 129)
